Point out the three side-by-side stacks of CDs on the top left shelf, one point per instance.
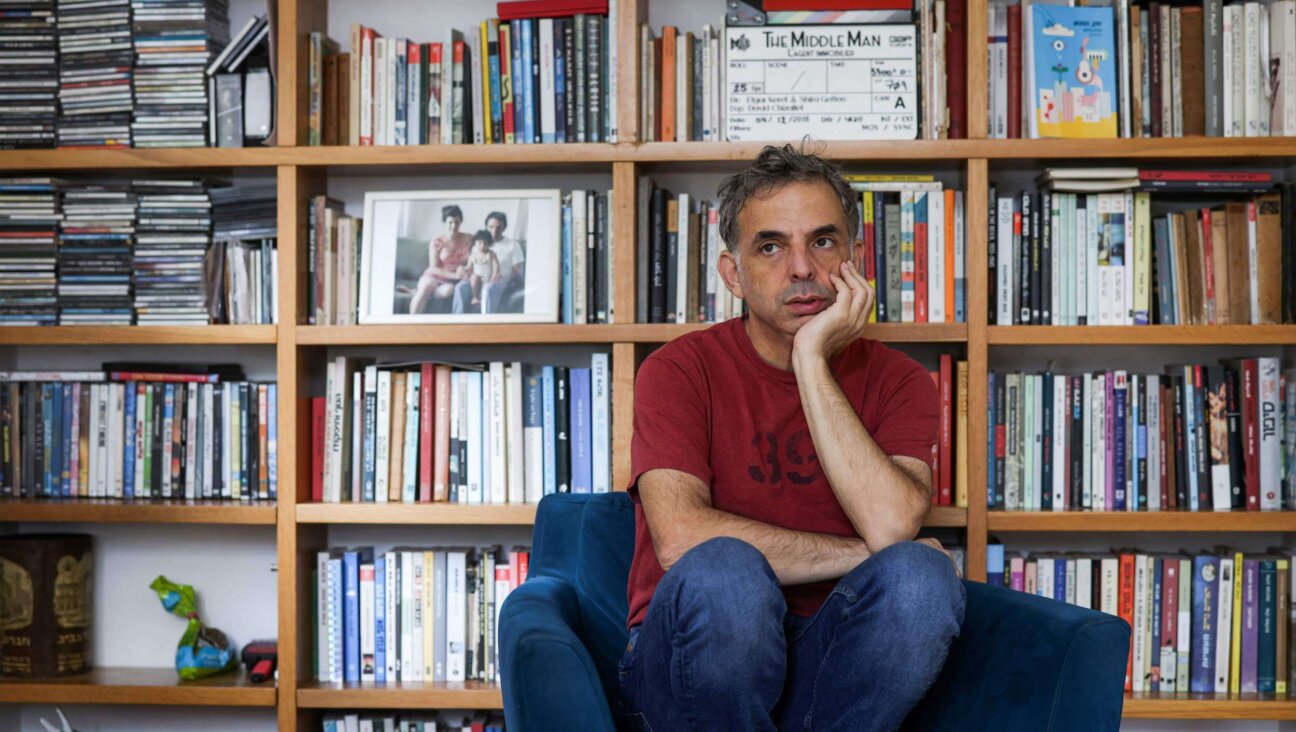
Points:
(108, 73)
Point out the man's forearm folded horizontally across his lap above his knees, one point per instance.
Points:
(796, 558)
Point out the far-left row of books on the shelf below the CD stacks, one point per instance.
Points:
(126, 433)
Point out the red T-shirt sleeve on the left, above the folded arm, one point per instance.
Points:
(672, 422)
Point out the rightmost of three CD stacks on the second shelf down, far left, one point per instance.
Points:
(173, 236)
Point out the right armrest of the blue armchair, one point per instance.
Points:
(1026, 663)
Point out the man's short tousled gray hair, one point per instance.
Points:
(770, 172)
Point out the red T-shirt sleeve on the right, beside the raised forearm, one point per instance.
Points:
(910, 417)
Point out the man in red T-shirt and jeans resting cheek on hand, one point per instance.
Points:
(781, 464)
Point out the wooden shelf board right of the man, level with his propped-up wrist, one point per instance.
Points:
(1141, 335)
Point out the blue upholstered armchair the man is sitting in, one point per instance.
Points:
(1022, 663)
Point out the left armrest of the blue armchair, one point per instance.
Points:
(550, 681)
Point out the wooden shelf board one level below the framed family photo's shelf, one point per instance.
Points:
(419, 514)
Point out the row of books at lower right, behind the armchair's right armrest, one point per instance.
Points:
(1218, 623)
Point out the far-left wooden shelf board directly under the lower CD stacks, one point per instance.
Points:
(138, 335)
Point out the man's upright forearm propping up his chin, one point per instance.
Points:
(883, 502)
